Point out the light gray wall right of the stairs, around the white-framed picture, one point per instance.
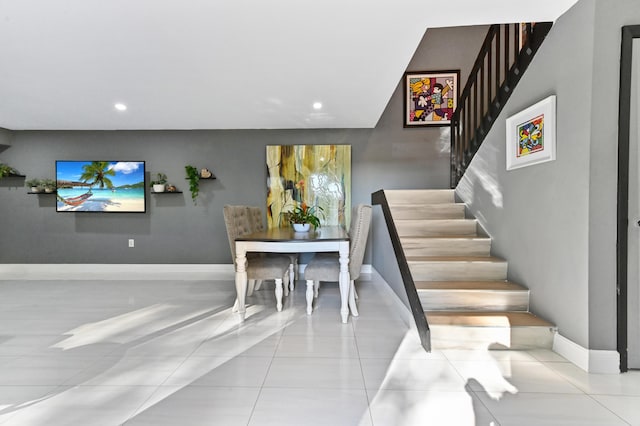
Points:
(556, 222)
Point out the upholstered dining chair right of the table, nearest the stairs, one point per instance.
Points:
(326, 266)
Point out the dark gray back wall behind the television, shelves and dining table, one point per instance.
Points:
(174, 230)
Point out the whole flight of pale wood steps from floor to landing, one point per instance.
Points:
(466, 297)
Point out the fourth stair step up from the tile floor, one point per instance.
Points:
(451, 246)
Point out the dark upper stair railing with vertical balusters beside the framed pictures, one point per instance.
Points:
(506, 53)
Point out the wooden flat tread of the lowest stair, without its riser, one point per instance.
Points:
(486, 319)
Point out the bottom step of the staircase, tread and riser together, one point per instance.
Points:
(494, 330)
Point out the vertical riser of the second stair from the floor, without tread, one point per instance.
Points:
(474, 300)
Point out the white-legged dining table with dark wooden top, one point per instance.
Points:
(285, 240)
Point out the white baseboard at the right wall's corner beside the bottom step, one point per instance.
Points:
(590, 360)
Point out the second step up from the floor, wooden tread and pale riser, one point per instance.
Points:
(472, 296)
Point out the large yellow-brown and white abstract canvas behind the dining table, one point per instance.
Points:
(317, 175)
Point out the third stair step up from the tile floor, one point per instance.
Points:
(454, 268)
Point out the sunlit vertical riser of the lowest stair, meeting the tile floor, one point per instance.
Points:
(516, 338)
